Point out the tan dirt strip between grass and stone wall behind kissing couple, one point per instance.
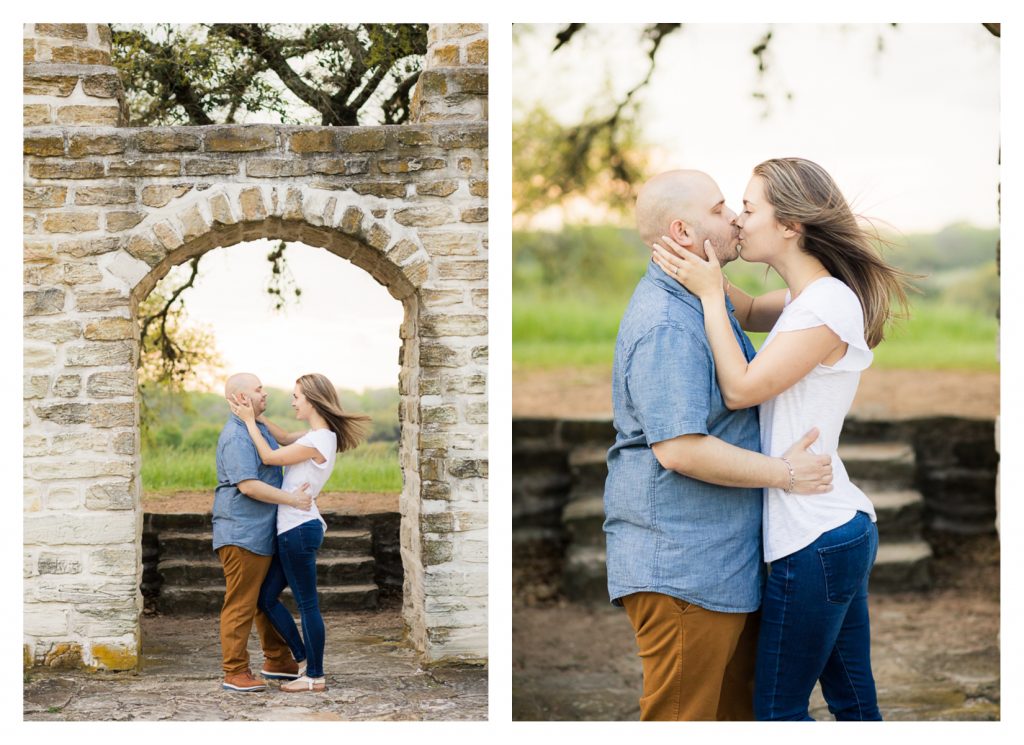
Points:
(883, 393)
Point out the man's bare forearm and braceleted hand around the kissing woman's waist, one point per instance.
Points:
(709, 459)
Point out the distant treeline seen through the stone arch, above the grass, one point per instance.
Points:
(193, 421)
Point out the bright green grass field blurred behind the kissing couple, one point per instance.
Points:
(551, 333)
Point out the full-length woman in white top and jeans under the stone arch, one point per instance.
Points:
(309, 458)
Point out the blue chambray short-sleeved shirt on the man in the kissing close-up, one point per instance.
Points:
(667, 533)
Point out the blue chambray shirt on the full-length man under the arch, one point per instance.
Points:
(239, 520)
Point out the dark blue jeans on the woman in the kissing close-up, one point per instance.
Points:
(815, 627)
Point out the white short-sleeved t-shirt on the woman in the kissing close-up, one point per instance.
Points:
(821, 400)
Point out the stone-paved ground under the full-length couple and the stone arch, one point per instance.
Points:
(372, 674)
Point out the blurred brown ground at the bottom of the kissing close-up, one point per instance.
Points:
(935, 654)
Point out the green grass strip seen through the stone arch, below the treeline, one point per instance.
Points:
(372, 467)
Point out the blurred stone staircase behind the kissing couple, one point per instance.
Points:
(885, 470)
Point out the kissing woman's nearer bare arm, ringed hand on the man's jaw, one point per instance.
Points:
(791, 356)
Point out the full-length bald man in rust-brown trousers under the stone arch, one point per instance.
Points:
(245, 517)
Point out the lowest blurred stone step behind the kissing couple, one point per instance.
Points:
(900, 567)
